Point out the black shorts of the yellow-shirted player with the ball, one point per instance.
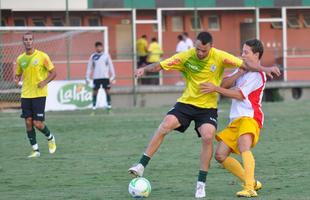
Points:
(185, 113)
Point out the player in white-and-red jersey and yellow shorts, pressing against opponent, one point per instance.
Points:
(246, 119)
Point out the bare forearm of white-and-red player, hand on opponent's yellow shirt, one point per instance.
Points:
(231, 93)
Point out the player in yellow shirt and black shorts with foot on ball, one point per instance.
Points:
(201, 64)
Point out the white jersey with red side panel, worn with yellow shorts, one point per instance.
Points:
(251, 85)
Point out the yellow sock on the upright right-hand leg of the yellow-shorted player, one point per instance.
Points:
(249, 167)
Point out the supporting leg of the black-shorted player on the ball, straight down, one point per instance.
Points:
(207, 132)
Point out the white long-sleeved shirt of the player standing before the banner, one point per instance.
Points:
(101, 65)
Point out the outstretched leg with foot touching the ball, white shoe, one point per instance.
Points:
(169, 123)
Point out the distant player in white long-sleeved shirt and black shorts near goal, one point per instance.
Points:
(101, 65)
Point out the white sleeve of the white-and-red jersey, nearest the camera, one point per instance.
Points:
(254, 82)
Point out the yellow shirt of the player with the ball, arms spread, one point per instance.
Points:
(198, 71)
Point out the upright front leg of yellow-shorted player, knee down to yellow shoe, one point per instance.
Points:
(244, 145)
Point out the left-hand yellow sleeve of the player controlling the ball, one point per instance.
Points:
(175, 62)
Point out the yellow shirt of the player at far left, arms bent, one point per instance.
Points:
(34, 68)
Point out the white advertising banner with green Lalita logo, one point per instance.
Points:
(72, 95)
